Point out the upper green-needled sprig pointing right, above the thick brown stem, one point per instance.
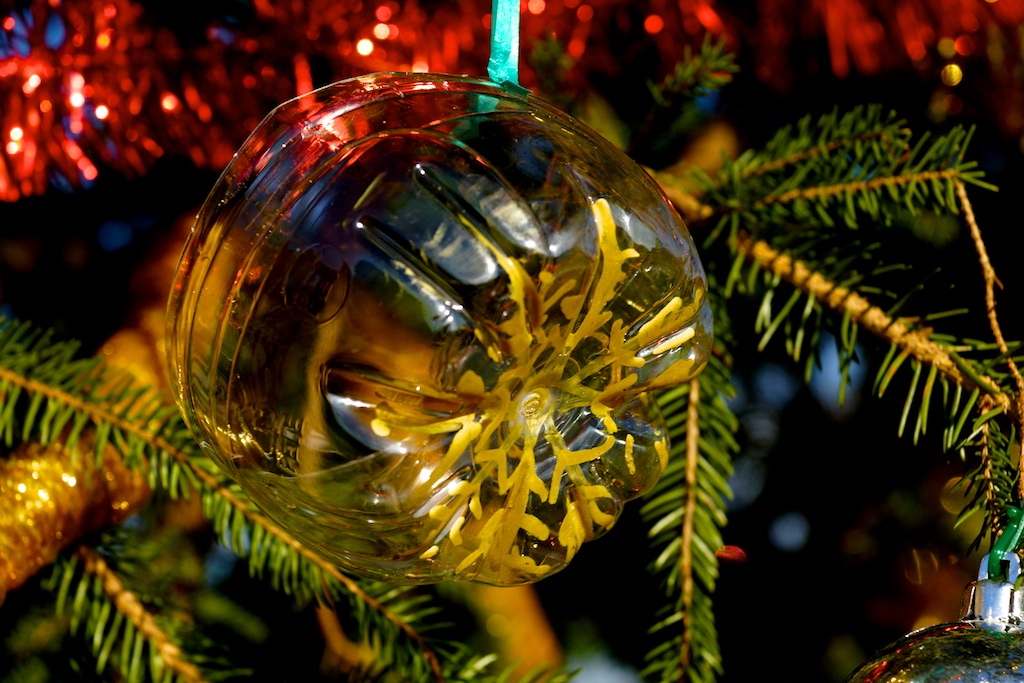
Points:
(838, 172)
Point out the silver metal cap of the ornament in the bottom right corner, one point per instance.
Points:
(997, 605)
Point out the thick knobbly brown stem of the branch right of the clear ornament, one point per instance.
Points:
(915, 343)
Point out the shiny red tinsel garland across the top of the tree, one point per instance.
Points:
(94, 84)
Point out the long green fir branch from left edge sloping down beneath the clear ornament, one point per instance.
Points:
(80, 394)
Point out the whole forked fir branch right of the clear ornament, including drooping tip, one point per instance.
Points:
(783, 209)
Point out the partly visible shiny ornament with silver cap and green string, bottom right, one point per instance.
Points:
(986, 647)
